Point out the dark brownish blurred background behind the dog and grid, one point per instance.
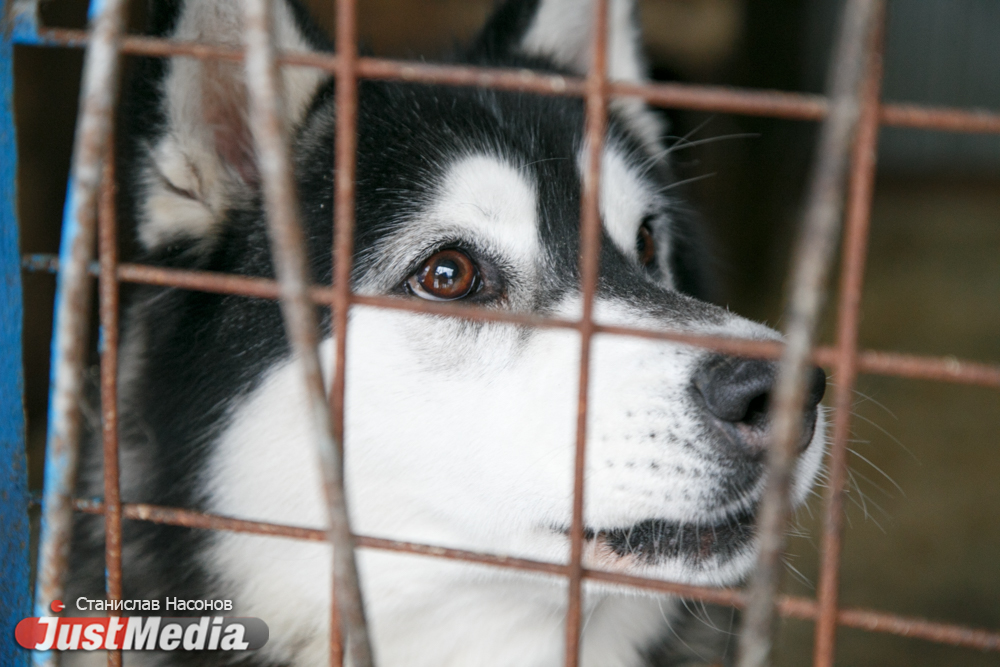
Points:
(924, 507)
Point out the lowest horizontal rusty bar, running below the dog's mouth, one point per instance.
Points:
(789, 606)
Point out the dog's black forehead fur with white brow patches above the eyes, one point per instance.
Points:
(499, 171)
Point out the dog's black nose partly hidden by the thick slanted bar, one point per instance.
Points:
(737, 393)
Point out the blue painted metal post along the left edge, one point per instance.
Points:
(15, 593)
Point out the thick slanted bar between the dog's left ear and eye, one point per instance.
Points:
(288, 247)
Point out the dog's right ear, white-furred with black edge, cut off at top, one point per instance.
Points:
(562, 32)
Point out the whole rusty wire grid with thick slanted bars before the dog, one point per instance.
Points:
(853, 111)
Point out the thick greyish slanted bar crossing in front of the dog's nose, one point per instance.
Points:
(812, 259)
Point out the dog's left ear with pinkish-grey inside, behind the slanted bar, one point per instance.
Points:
(200, 158)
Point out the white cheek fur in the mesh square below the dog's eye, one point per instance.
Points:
(468, 432)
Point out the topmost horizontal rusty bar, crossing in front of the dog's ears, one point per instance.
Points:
(719, 99)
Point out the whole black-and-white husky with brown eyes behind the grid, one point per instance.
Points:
(458, 433)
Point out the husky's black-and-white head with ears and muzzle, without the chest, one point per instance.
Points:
(457, 433)
